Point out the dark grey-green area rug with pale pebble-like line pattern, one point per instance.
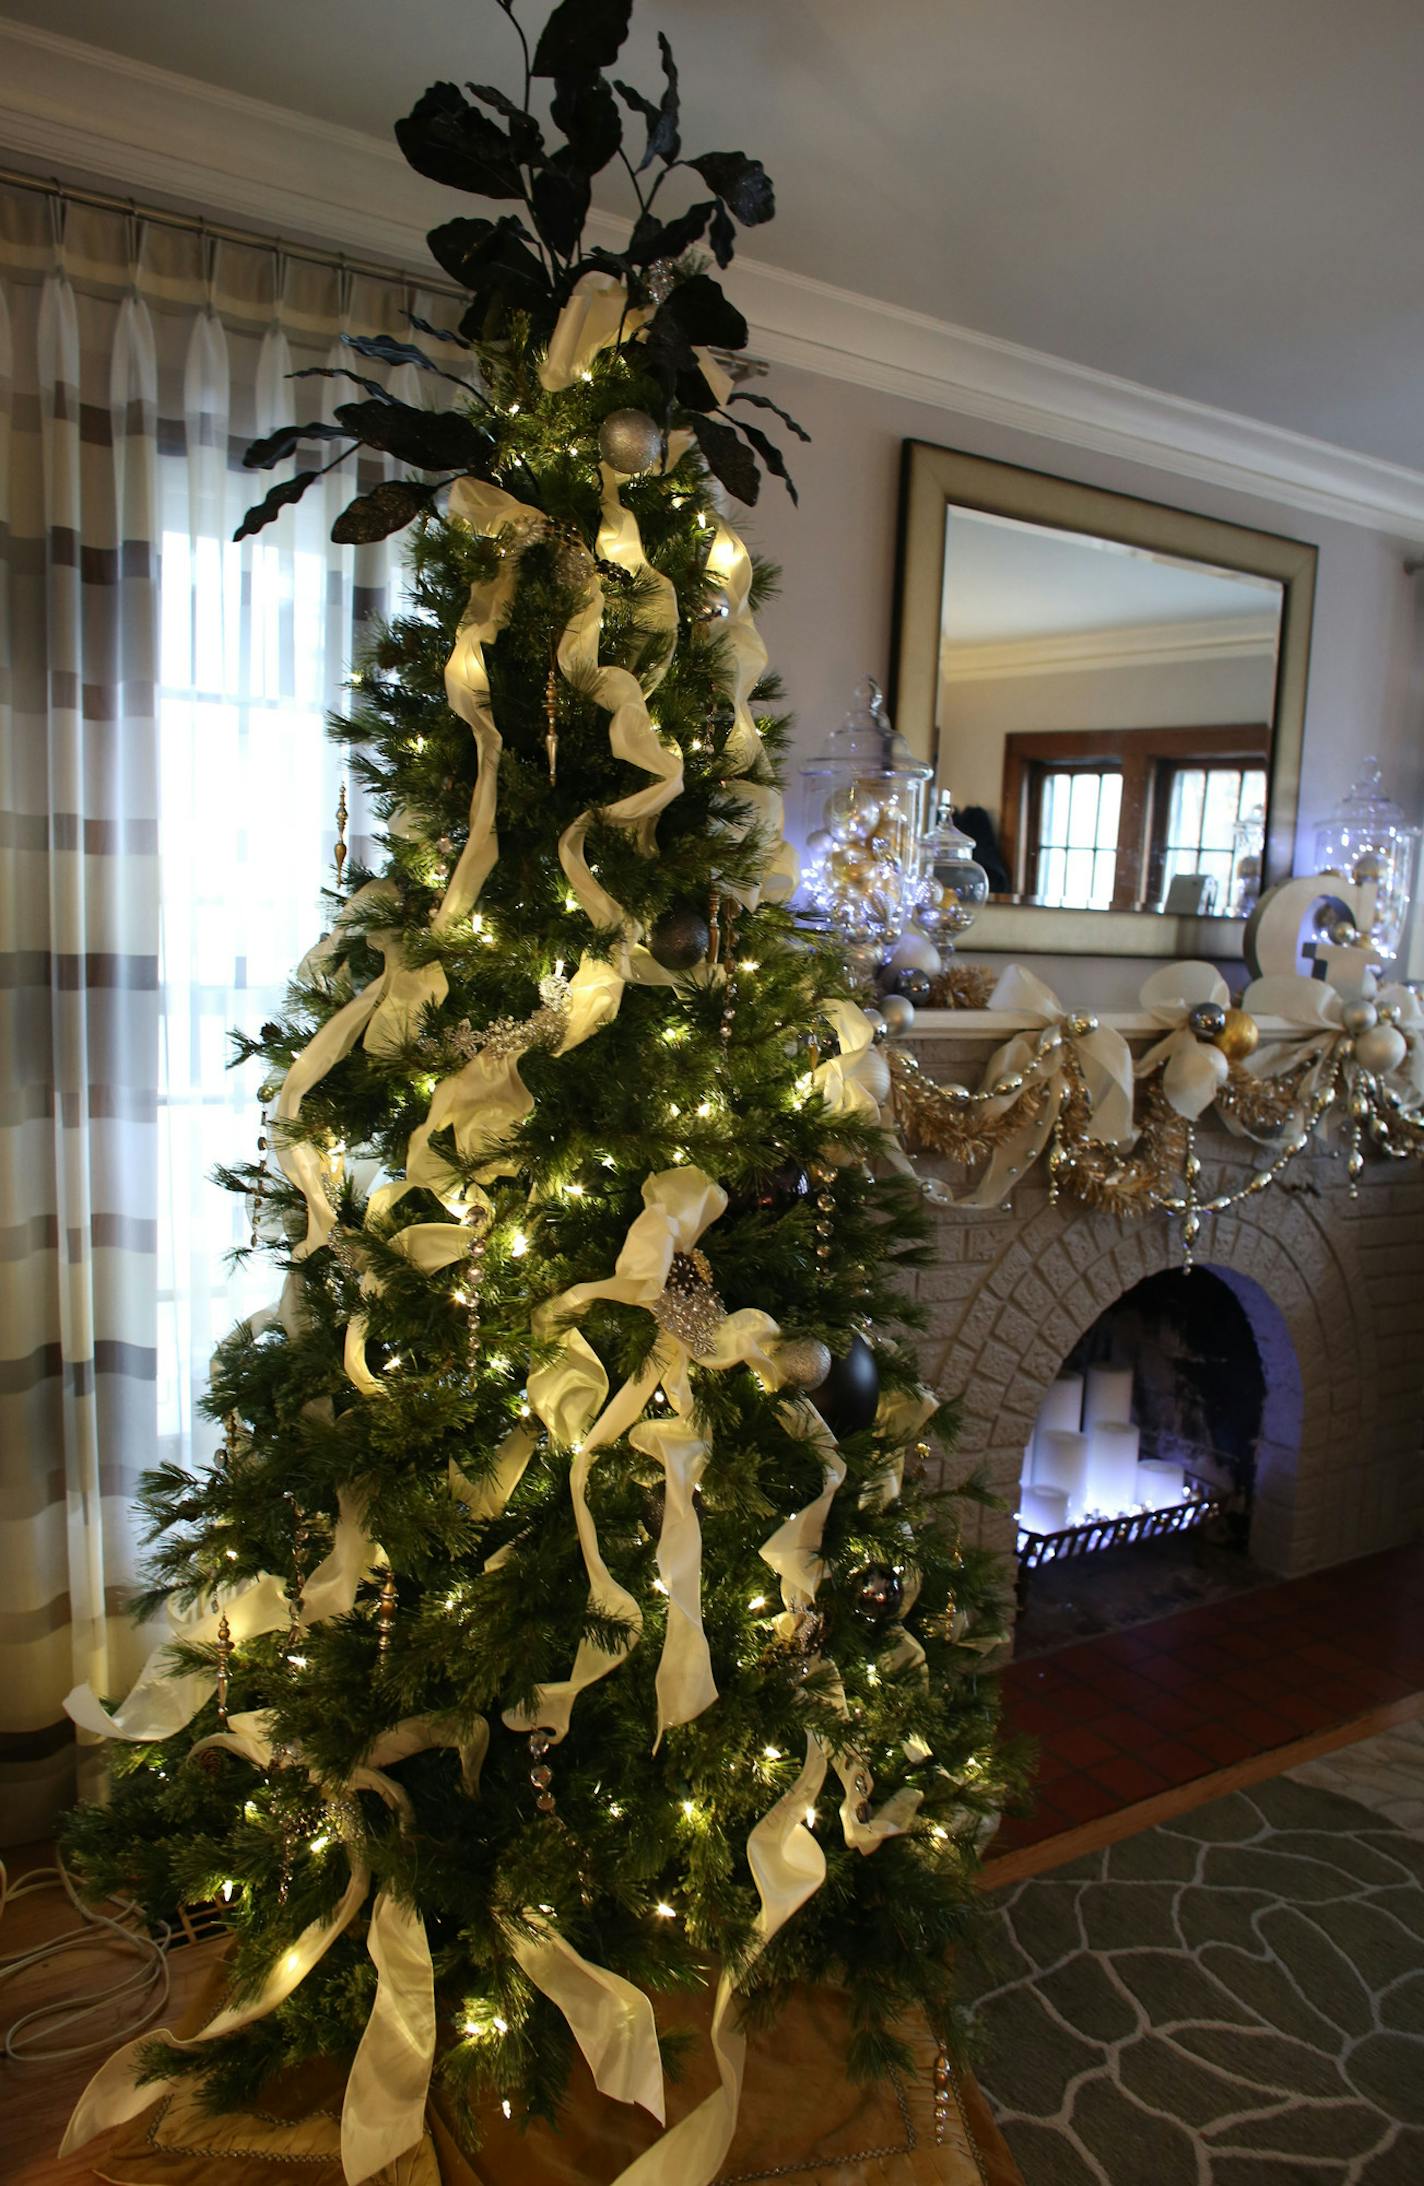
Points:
(1233, 1999)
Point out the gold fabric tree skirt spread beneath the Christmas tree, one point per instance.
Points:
(799, 2119)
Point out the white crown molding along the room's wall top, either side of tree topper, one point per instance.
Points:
(78, 110)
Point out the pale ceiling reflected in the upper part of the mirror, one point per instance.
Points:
(1007, 583)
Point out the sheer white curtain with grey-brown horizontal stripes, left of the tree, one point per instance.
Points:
(167, 823)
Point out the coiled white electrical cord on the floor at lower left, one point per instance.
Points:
(36, 2034)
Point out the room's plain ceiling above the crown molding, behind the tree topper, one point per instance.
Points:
(1217, 200)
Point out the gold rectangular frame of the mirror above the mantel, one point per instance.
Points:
(935, 480)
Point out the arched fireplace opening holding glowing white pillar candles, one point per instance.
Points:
(1143, 1477)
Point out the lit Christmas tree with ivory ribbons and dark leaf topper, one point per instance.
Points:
(572, 1525)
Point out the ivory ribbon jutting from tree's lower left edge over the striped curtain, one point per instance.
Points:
(161, 1704)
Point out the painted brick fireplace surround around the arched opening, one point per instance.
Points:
(1333, 1291)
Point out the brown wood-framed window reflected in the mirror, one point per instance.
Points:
(1110, 819)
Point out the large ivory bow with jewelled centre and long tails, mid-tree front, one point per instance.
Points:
(572, 1400)
